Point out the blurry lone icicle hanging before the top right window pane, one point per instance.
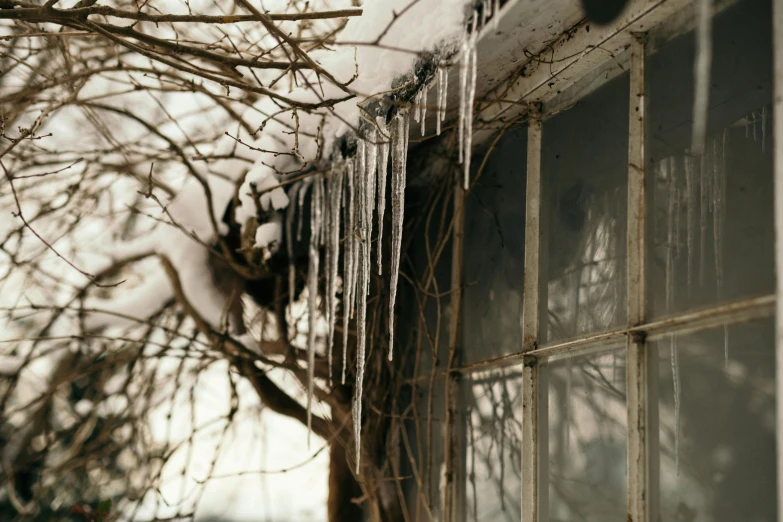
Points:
(701, 73)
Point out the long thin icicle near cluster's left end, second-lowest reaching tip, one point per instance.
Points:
(312, 294)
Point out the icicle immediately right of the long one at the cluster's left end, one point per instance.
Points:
(333, 254)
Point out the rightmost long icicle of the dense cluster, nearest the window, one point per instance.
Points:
(399, 160)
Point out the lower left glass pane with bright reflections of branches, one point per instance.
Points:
(494, 438)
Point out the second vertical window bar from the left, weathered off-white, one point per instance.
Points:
(530, 307)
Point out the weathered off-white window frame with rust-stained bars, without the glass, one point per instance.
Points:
(641, 367)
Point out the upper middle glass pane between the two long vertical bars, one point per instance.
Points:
(584, 194)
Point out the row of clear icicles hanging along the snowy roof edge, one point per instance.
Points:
(353, 192)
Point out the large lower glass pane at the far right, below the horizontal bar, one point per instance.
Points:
(717, 425)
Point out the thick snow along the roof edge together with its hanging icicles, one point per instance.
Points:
(354, 188)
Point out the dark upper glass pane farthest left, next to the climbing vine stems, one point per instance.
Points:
(494, 253)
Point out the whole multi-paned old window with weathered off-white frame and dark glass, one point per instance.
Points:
(617, 346)
